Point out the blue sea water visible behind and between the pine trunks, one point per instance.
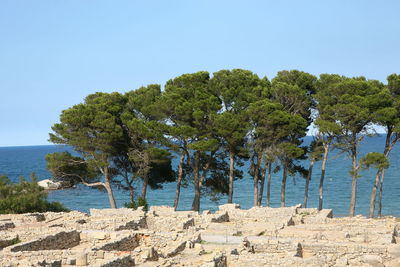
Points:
(22, 161)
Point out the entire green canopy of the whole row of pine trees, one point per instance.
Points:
(235, 114)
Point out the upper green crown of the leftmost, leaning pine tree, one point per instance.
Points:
(93, 127)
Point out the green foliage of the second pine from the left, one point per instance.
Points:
(143, 122)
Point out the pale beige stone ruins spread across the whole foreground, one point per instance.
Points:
(259, 236)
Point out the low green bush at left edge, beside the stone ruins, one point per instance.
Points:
(25, 197)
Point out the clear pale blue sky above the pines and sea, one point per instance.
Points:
(54, 53)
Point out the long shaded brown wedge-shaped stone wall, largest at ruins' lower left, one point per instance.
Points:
(61, 240)
